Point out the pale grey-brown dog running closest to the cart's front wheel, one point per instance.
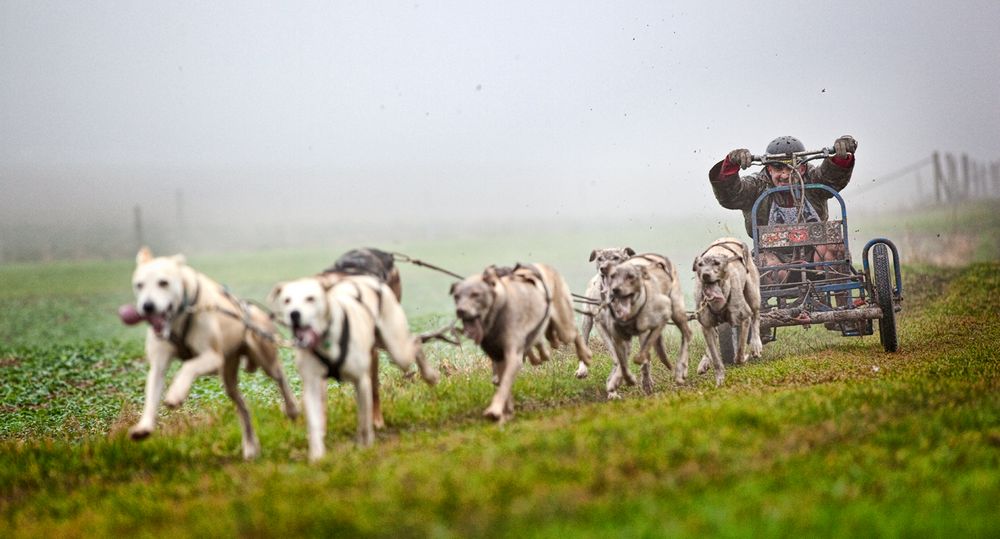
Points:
(727, 289)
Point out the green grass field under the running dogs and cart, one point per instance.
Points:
(823, 436)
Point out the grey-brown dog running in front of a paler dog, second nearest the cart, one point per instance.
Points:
(645, 295)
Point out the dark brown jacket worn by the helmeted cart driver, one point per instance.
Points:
(736, 193)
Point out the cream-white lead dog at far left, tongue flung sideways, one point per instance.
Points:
(193, 319)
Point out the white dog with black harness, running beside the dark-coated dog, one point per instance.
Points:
(336, 323)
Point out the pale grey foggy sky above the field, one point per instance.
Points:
(314, 112)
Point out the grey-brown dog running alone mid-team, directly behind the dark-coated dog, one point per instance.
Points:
(507, 311)
